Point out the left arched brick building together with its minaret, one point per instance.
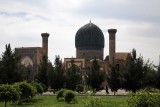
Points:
(31, 56)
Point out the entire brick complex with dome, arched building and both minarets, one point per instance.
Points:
(89, 44)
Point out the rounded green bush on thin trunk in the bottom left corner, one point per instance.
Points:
(8, 94)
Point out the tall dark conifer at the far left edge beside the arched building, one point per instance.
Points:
(10, 66)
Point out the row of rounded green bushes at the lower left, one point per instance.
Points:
(19, 92)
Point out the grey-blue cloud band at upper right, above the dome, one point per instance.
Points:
(144, 10)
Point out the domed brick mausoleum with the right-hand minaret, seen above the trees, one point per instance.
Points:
(89, 43)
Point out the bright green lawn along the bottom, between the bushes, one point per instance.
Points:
(50, 101)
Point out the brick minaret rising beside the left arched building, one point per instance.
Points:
(45, 42)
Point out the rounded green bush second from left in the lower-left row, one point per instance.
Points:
(27, 91)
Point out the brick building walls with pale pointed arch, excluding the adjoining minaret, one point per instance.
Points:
(31, 57)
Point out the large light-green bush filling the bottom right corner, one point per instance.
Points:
(144, 99)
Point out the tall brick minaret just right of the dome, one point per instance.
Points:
(112, 44)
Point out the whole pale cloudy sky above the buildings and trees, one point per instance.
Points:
(137, 23)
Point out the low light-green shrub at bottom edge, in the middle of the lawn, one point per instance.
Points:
(94, 102)
